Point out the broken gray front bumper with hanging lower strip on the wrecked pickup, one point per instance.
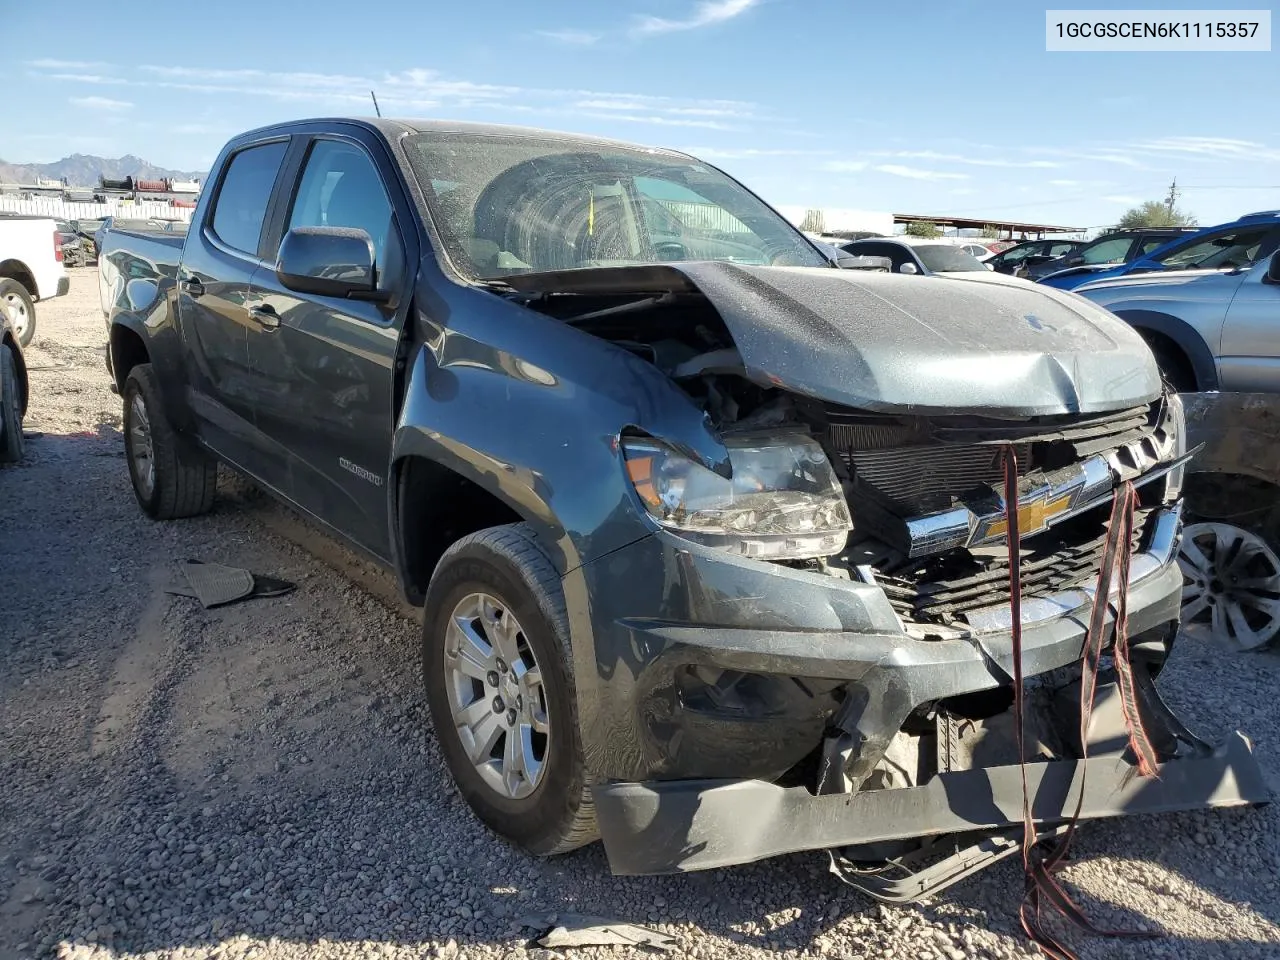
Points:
(689, 781)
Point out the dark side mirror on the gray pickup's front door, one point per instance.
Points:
(330, 262)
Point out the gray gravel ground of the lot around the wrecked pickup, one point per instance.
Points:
(262, 780)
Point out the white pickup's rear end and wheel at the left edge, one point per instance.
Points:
(31, 271)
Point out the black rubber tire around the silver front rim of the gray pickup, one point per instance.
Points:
(506, 565)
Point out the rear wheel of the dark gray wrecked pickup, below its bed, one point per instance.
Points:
(172, 477)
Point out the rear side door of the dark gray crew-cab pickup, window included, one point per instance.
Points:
(218, 266)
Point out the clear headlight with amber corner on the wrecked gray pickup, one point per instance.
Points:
(783, 501)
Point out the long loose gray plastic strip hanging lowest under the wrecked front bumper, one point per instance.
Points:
(683, 826)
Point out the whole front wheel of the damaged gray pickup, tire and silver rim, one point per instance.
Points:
(500, 683)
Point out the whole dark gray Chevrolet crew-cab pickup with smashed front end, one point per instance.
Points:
(708, 533)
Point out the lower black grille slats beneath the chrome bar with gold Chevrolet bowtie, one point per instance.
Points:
(943, 589)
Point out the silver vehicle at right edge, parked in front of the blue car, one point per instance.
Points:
(1212, 330)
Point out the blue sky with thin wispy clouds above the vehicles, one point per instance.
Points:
(943, 108)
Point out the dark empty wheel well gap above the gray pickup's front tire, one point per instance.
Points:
(437, 508)
